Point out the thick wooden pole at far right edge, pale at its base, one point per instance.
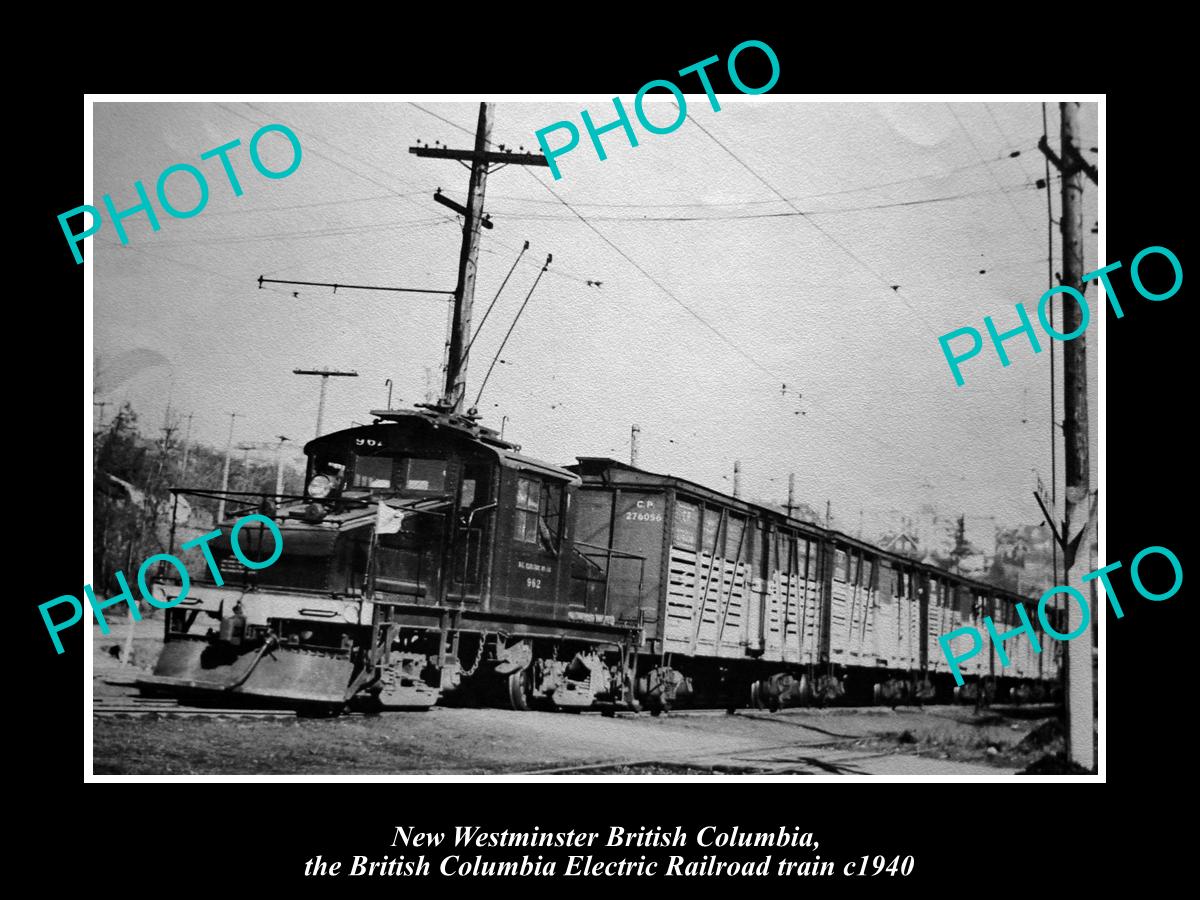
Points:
(1079, 527)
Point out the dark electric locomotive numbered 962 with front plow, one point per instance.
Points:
(428, 557)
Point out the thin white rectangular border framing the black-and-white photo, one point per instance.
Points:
(89, 195)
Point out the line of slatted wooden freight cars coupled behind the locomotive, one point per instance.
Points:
(741, 603)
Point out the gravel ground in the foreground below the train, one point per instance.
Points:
(445, 741)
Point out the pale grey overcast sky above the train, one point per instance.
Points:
(922, 196)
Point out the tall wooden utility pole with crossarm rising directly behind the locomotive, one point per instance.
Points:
(481, 159)
